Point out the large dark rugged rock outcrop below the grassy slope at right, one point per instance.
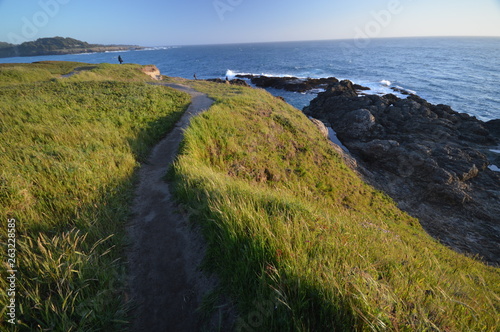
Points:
(430, 159)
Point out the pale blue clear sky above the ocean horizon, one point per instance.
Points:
(193, 22)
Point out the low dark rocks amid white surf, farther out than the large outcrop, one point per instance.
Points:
(293, 84)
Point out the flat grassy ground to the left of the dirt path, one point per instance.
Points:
(69, 149)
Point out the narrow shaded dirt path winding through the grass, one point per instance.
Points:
(165, 283)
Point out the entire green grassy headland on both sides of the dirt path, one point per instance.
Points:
(298, 240)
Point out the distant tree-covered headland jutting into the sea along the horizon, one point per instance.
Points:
(58, 46)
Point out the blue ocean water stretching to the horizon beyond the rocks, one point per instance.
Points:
(461, 72)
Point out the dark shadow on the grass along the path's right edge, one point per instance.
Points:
(268, 297)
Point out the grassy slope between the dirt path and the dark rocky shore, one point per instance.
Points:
(303, 244)
